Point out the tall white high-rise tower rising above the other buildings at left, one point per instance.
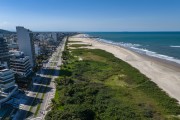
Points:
(26, 43)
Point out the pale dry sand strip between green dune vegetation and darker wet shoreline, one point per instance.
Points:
(165, 74)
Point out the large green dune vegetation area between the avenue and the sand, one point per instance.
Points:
(95, 85)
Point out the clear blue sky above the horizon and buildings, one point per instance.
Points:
(91, 15)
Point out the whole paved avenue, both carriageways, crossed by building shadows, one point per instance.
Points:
(42, 80)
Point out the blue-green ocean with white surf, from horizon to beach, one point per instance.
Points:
(164, 45)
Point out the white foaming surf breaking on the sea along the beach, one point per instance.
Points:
(135, 48)
